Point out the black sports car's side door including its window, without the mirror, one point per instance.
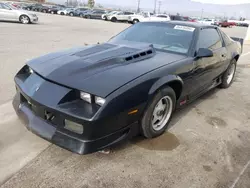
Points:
(207, 69)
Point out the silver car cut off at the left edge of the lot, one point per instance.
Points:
(10, 13)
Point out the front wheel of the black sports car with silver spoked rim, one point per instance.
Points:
(148, 127)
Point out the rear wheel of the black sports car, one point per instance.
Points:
(228, 75)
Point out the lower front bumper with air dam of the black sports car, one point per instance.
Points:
(54, 135)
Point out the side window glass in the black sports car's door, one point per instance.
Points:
(209, 38)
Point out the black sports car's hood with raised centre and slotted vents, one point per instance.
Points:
(100, 69)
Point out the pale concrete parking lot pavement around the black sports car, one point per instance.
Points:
(206, 146)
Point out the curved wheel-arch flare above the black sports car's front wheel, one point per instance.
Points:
(162, 81)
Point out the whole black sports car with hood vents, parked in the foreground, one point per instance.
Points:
(90, 98)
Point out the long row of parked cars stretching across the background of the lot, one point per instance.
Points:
(108, 15)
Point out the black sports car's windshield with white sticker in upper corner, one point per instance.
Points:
(164, 36)
